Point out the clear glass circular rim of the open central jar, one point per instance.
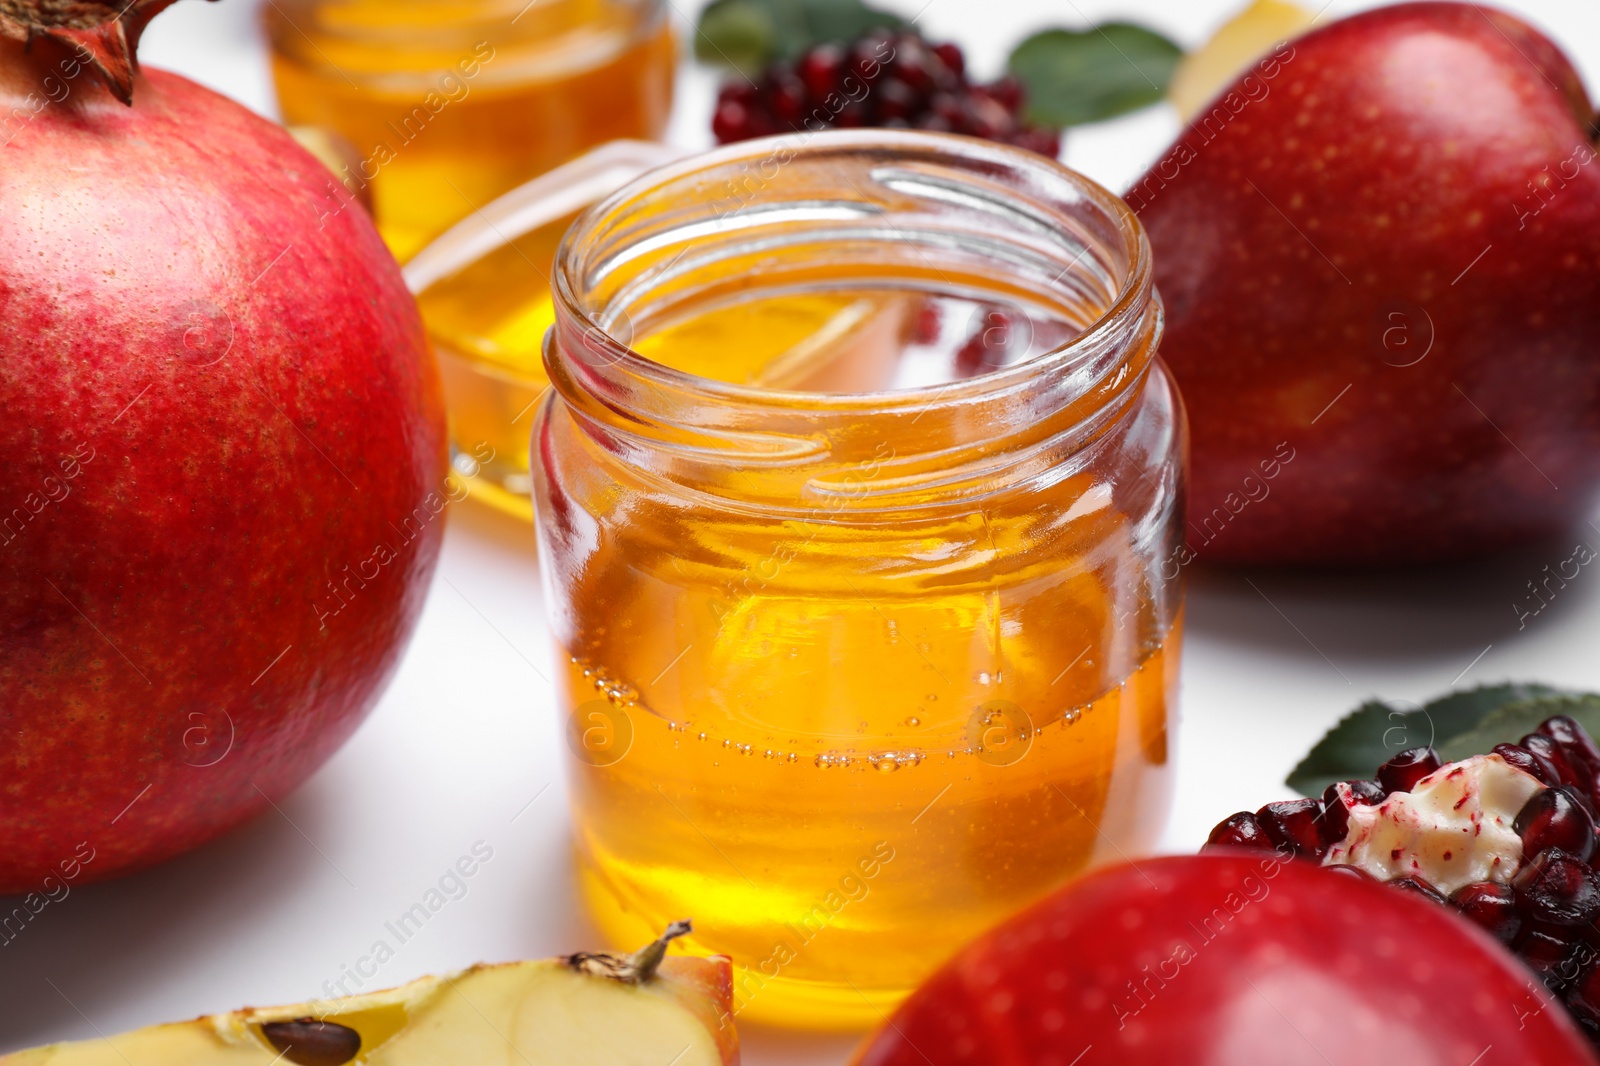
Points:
(1130, 303)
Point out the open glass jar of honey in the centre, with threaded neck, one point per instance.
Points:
(858, 502)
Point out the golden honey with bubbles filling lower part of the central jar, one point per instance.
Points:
(839, 862)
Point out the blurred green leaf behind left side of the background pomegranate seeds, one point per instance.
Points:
(746, 36)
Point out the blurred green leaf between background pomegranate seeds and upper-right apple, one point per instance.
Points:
(1086, 76)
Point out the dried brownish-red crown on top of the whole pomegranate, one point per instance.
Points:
(105, 36)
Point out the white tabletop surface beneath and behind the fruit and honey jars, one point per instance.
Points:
(465, 745)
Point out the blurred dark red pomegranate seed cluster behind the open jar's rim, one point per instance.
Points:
(892, 81)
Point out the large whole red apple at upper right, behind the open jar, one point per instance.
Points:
(1380, 254)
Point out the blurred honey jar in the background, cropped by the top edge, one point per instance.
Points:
(452, 103)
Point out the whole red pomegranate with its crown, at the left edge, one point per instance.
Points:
(222, 455)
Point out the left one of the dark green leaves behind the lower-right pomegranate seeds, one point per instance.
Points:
(1377, 732)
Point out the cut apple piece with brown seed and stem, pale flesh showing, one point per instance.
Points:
(580, 1011)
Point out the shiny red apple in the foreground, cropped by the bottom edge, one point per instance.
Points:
(1231, 960)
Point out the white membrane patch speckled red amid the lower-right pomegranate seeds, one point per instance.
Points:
(1452, 830)
